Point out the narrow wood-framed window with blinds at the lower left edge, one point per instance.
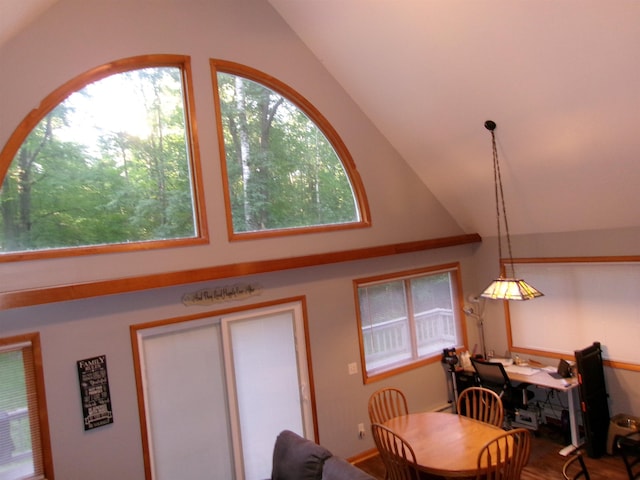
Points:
(24, 440)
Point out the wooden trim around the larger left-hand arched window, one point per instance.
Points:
(59, 95)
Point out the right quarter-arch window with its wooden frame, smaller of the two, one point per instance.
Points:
(285, 168)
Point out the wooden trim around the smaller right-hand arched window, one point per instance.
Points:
(321, 123)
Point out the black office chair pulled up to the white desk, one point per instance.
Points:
(492, 375)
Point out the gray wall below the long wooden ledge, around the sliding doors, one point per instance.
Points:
(76, 330)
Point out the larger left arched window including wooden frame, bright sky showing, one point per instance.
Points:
(107, 162)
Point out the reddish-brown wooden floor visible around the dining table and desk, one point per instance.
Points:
(545, 463)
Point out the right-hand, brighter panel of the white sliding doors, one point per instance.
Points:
(268, 383)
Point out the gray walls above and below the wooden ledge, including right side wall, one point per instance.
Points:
(77, 35)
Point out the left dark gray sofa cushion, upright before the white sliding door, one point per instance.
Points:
(296, 458)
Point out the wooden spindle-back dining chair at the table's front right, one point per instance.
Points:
(504, 457)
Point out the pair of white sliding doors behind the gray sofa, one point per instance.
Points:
(218, 390)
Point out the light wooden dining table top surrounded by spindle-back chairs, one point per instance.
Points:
(445, 444)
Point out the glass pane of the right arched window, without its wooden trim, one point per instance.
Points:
(282, 171)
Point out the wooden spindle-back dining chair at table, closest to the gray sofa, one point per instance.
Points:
(396, 454)
